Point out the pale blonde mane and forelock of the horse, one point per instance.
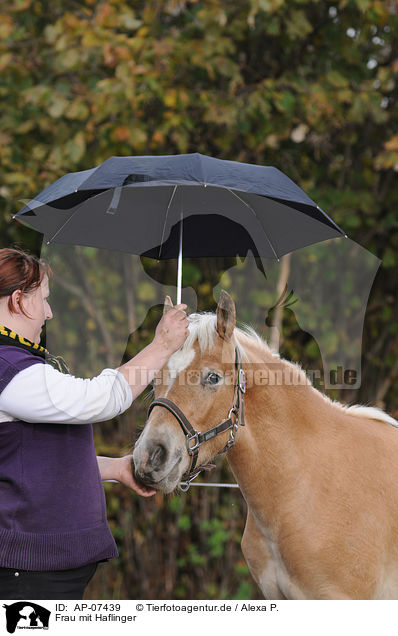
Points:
(203, 329)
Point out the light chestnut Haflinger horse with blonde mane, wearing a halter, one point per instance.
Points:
(320, 479)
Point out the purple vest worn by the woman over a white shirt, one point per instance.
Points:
(52, 502)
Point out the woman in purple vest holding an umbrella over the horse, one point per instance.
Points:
(53, 527)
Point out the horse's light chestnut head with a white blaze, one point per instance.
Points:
(200, 379)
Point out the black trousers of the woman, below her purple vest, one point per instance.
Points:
(60, 584)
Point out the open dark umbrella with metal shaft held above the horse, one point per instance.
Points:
(166, 206)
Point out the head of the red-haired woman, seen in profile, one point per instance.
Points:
(24, 292)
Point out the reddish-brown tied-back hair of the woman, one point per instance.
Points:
(19, 270)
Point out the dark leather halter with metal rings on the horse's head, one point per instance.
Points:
(193, 438)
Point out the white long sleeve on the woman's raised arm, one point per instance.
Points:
(41, 394)
